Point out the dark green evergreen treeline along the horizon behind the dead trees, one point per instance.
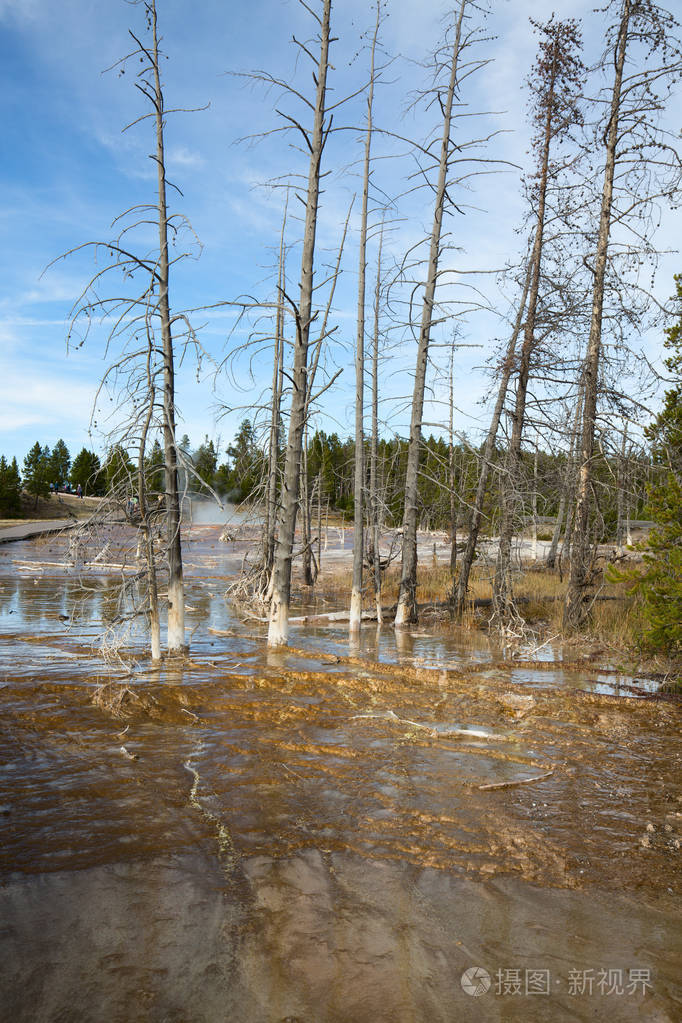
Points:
(330, 466)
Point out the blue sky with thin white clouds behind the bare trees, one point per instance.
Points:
(68, 172)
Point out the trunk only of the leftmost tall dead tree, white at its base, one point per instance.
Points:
(176, 592)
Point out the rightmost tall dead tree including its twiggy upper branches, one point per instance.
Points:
(642, 166)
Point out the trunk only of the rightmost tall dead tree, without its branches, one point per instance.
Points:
(580, 550)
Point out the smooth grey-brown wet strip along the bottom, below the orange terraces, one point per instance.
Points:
(326, 939)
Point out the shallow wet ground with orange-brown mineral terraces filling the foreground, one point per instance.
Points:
(421, 828)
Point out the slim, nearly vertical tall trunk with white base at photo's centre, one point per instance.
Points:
(358, 535)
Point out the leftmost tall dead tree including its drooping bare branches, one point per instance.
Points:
(144, 331)
